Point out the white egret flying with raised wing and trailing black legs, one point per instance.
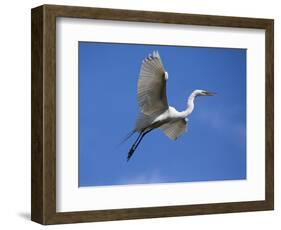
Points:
(154, 109)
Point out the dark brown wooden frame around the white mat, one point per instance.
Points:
(43, 158)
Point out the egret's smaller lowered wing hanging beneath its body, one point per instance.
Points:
(174, 129)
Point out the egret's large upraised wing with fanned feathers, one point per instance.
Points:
(152, 85)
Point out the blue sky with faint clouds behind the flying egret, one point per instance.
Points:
(214, 148)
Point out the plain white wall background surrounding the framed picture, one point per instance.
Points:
(15, 114)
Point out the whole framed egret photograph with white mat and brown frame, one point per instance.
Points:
(141, 114)
